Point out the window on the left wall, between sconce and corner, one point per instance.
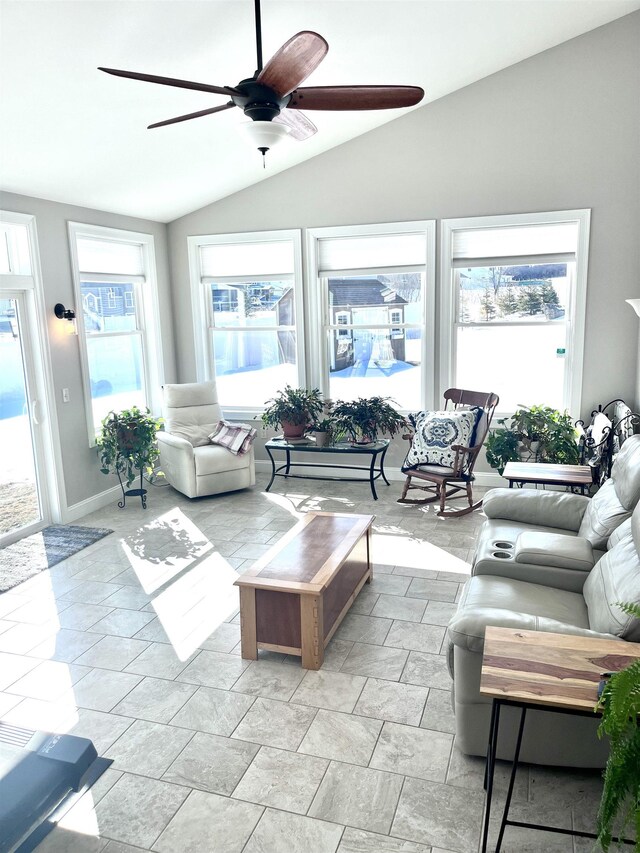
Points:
(115, 282)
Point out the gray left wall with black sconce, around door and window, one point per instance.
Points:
(82, 476)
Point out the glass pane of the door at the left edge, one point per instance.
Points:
(22, 496)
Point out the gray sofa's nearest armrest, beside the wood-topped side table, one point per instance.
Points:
(467, 627)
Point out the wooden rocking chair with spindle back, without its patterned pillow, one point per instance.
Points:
(445, 483)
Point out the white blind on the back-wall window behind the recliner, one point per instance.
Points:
(220, 260)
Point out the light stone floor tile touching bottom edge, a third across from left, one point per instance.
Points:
(209, 823)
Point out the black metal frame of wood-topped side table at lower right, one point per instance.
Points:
(490, 768)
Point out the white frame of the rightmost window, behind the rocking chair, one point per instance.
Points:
(575, 323)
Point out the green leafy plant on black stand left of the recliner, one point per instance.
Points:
(127, 443)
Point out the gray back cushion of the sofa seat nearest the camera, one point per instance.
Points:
(616, 579)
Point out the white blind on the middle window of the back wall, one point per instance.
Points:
(371, 252)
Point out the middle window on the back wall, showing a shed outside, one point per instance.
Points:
(375, 311)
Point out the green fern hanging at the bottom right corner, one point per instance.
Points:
(620, 709)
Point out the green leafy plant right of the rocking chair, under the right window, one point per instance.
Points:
(552, 429)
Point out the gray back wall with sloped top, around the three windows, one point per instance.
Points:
(557, 131)
